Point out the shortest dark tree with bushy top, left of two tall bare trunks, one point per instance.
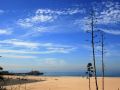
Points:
(89, 73)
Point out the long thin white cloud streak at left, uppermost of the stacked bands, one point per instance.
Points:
(35, 45)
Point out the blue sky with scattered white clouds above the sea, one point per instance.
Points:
(50, 35)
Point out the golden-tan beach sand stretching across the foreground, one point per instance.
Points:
(65, 83)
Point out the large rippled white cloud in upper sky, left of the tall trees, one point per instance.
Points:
(36, 24)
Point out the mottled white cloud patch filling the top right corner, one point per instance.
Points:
(110, 13)
